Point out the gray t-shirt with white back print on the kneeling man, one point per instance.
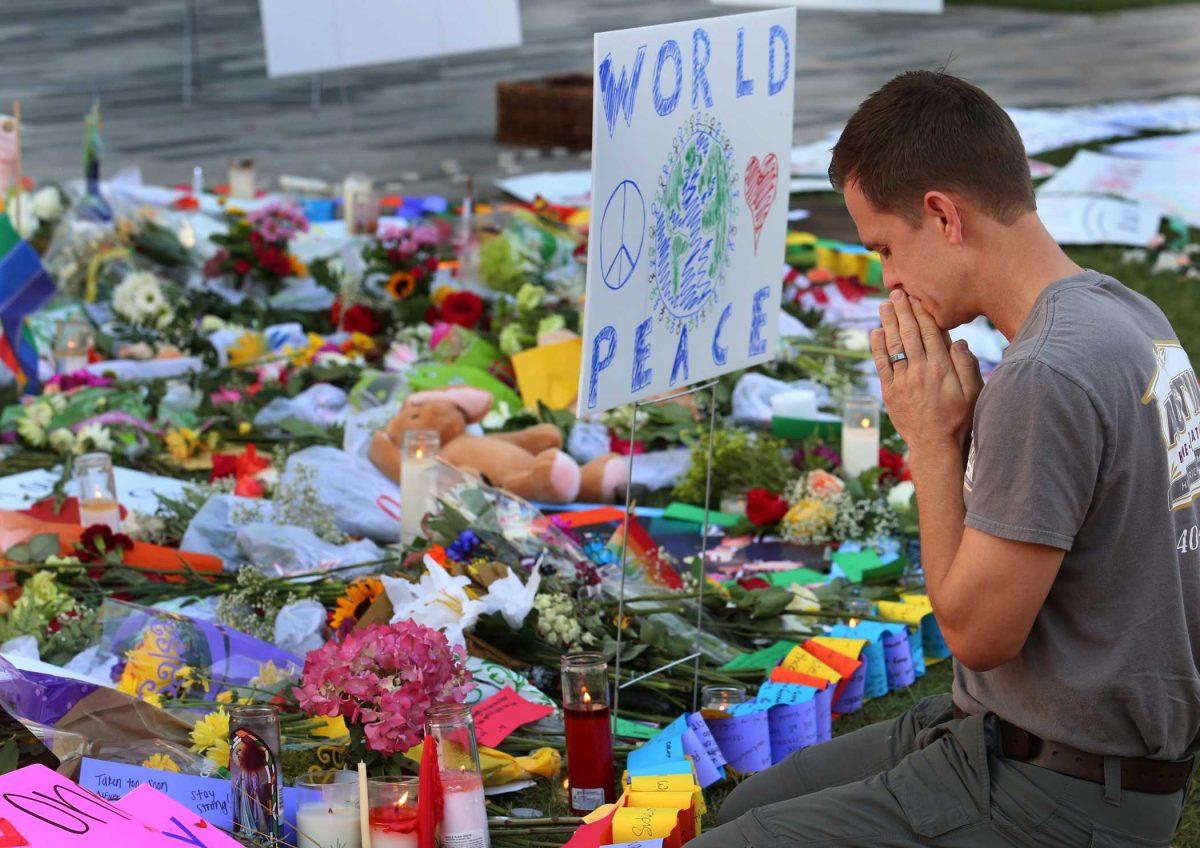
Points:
(1087, 440)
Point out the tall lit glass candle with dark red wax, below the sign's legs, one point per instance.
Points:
(590, 769)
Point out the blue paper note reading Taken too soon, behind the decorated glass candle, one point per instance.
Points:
(207, 797)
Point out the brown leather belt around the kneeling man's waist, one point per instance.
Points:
(1138, 774)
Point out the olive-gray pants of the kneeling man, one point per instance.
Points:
(927, 779)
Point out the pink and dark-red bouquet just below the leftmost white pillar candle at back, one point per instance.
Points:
(256, 248)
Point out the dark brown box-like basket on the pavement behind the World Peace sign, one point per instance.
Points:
(555, 112)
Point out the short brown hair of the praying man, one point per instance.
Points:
(927, 130)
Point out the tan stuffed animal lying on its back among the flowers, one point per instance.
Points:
(530, 464)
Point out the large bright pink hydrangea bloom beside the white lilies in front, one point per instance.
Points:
(385, 678)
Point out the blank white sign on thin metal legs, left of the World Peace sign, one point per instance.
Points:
(311, 37)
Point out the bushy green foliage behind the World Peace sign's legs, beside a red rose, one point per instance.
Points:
(741, 461)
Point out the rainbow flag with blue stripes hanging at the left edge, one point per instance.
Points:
(25, 288)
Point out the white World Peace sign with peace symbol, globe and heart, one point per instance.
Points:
(691, 143)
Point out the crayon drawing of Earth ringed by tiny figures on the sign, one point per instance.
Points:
(692, 230)
